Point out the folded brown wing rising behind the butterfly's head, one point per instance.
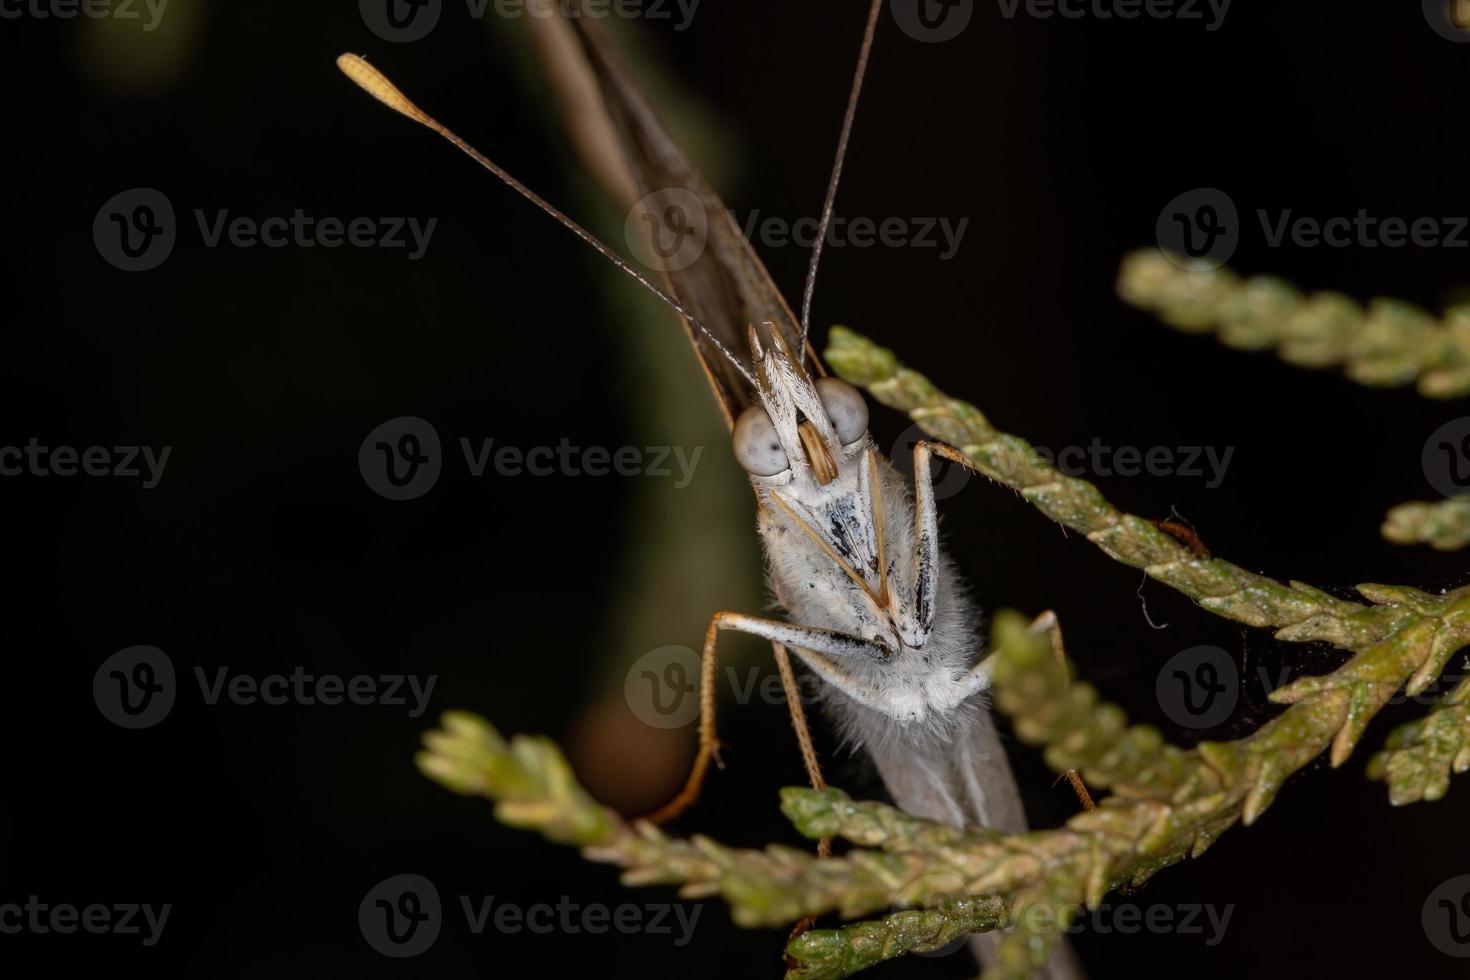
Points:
(630, 151)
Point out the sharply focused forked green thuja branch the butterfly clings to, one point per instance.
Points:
(914, 885)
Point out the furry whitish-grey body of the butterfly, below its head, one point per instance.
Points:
(921, 712)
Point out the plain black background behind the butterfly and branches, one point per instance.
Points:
(264, 550)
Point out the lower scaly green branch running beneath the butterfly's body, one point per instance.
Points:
(1166, 804)
